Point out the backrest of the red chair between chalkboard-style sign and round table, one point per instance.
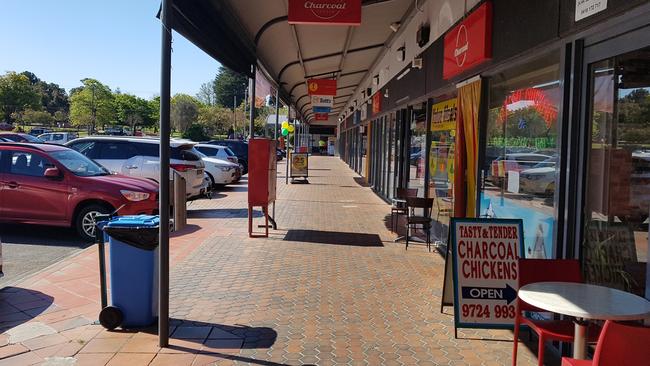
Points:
(546, 270)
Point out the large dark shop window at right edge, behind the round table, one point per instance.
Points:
(615, 249)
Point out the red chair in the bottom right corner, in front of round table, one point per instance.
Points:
(619, 344)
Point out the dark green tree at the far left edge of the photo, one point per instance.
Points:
(17, 94)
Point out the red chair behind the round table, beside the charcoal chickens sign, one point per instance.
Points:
(544, 270)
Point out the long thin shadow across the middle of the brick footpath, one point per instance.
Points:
(334, 238)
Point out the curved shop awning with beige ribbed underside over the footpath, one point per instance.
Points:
(238, 32)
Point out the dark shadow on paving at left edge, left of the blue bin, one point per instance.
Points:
(19, 305)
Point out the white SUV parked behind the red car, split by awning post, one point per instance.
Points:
(140, 157)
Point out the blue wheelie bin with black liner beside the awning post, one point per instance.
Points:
(133, 267)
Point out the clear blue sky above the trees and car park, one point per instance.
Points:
(116, 42)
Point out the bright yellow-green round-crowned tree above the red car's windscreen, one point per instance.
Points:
(92, 104)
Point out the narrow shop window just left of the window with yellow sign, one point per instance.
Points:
(418, 149)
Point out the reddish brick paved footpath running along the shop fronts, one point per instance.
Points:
(328, 287)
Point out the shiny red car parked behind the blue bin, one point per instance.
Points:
(55, 185)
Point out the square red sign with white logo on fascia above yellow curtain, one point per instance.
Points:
(469, 43)
